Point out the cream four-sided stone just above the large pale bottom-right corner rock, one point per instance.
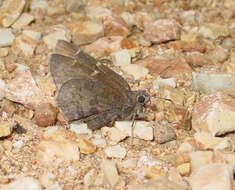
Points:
(200, 158)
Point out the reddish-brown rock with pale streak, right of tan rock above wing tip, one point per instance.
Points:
(115, 26)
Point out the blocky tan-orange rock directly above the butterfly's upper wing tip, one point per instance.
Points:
(85, 32)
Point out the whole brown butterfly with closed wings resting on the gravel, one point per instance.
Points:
(91, 92)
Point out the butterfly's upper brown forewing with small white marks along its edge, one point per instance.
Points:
(70, 62)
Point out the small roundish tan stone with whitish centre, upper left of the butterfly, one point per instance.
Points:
(25, 45)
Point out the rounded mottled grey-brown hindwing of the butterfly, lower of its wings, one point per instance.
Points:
(84, 97)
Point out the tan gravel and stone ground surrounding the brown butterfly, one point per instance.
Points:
(181, 52)
